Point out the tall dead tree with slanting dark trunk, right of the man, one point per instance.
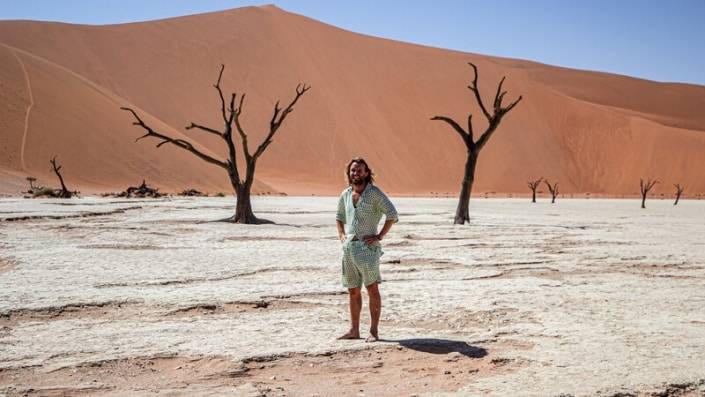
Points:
(474, 146)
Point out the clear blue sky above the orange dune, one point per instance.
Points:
(655, 40)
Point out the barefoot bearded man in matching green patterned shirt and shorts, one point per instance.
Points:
(360, 209)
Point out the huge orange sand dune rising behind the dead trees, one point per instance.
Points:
(591, 132)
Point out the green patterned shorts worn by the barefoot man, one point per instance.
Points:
(360, 264)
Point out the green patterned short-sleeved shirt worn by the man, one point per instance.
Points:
(362, 220)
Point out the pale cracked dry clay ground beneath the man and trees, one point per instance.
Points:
(130, 297)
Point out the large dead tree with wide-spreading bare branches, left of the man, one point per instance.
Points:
(231, 124)
